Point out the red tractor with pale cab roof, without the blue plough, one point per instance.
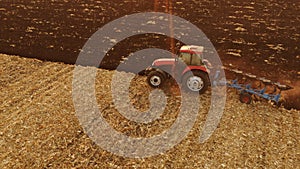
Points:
(190, 69)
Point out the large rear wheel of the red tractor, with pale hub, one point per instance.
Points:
(196, 82)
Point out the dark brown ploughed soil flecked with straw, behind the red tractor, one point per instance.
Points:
(259, 36)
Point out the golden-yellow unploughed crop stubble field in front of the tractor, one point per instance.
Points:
(39, 127)
